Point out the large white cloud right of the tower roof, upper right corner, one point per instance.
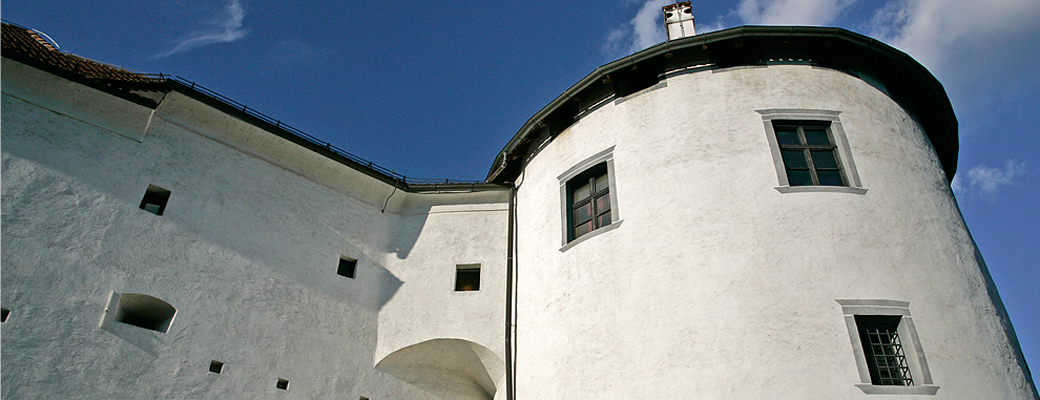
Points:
(985, 52)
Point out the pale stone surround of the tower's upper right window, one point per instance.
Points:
(838, 134)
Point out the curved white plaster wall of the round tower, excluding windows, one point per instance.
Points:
(714, 282)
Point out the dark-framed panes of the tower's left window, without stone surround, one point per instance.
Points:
(589, 196)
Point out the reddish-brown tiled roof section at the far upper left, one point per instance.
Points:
(27, 47)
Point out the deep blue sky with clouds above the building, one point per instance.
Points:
(436, 90)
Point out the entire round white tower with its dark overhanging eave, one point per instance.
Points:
(760, 212)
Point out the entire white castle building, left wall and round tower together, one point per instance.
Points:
(751, 214)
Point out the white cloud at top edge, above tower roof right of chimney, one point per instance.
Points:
(792, 12)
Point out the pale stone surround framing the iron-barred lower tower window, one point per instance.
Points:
(912, 346)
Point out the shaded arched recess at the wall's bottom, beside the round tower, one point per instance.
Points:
(448, 368)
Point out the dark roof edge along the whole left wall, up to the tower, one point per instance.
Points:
(27, 47)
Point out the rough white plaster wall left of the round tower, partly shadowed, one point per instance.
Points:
(246, 251)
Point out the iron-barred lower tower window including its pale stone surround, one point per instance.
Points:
(887, 349)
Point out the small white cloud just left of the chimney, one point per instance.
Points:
(642, 32)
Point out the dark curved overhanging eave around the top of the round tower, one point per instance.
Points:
(904, 79)
